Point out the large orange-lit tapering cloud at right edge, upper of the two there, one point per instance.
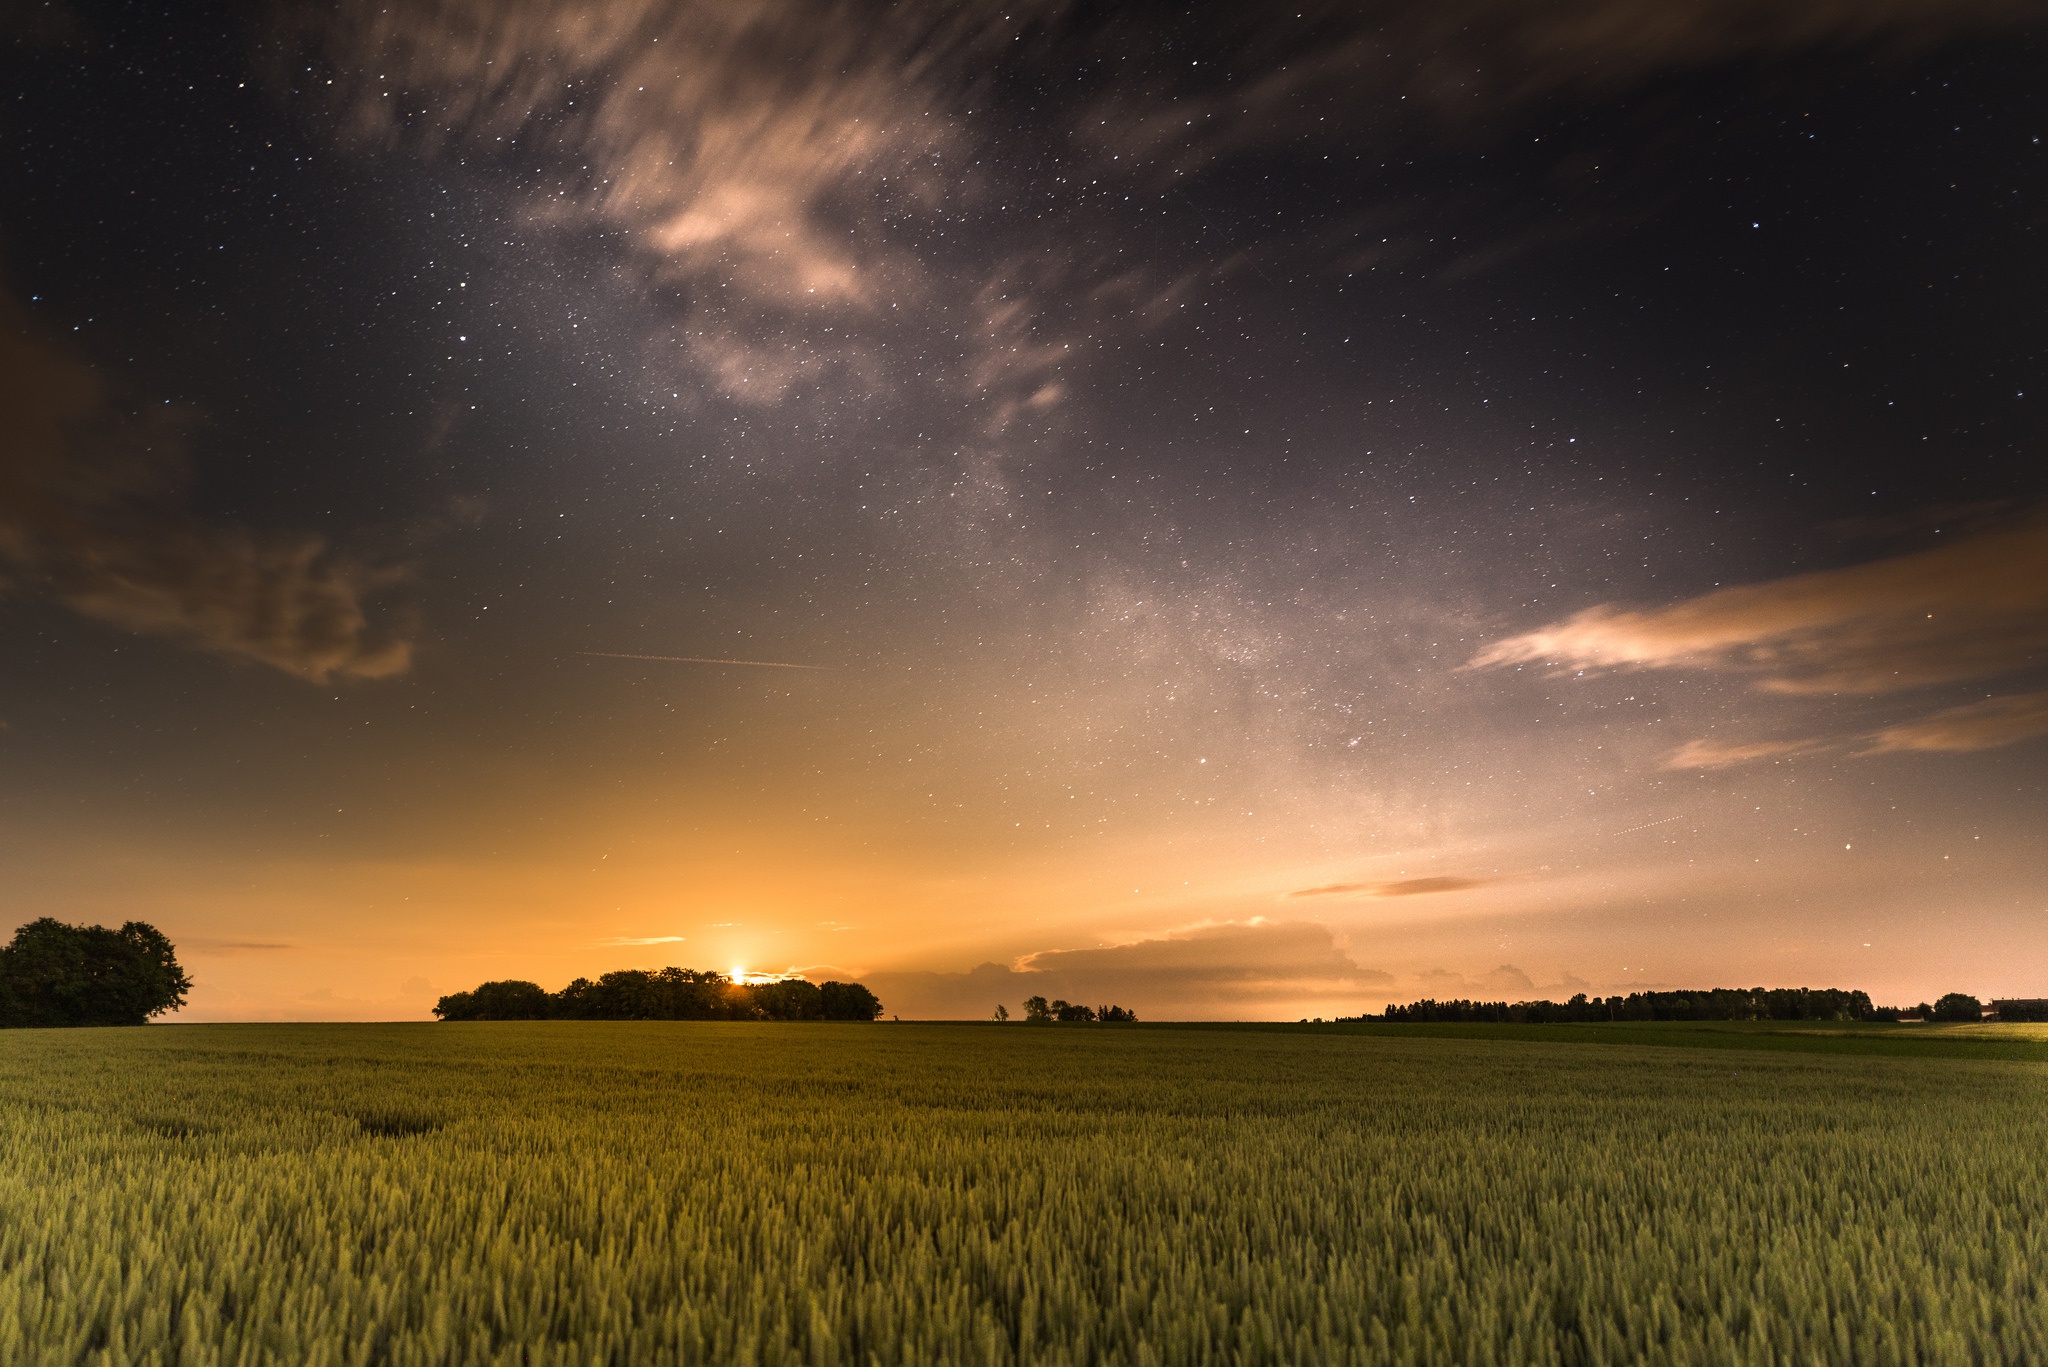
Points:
(1971, 610)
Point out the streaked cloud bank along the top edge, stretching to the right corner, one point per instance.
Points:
(833, 196)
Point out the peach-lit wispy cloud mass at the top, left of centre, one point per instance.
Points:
(792, 169)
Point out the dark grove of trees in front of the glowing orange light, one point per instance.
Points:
(663, 995)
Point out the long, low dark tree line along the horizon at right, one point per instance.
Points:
(1709, 1005)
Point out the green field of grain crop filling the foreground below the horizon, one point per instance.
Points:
(892, 1194)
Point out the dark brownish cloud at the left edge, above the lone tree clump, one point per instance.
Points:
(91, 511)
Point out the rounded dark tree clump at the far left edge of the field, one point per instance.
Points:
(58, 975)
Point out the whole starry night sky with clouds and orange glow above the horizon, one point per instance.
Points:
(1240, 511)
